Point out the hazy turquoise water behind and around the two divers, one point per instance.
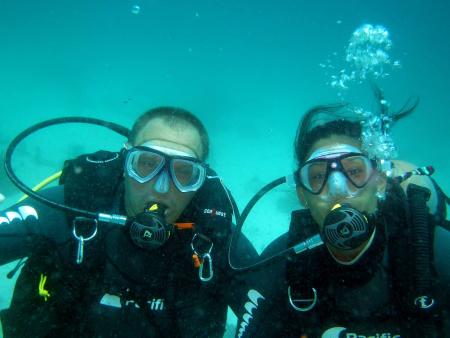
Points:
(248, 69)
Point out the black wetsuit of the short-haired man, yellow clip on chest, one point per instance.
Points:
(119, 290)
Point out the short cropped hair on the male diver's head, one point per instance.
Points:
(174, 117)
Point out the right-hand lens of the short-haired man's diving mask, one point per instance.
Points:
(188, 175)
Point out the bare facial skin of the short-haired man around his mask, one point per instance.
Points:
(181, 138)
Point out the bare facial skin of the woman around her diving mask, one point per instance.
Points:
(338, 188)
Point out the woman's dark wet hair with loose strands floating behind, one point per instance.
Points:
(339, 119)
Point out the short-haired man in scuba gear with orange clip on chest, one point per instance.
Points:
(150, 262)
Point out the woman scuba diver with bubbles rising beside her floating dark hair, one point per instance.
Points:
(368, 254)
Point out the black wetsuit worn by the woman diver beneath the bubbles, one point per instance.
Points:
(355, 301)
